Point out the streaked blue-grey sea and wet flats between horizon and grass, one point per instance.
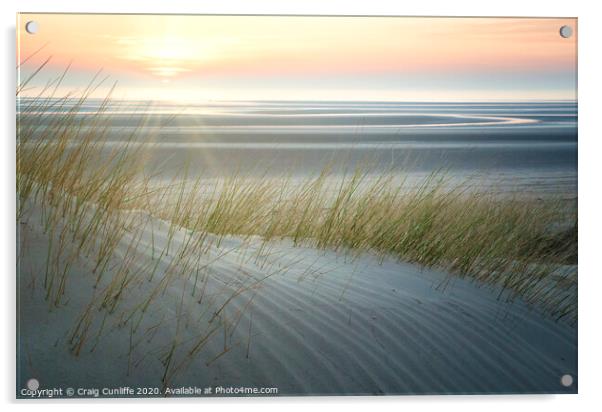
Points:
(526, 147)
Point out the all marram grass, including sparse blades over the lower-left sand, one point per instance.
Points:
(92, 195)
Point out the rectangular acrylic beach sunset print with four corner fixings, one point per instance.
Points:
(213, 205)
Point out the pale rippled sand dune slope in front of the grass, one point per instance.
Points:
(295, 318)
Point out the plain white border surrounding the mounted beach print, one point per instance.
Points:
(590, 136)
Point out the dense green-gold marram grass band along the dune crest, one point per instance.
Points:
(523, 245)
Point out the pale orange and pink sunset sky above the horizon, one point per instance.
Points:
(201, 58)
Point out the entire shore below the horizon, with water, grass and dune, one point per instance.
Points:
(429, 250)
